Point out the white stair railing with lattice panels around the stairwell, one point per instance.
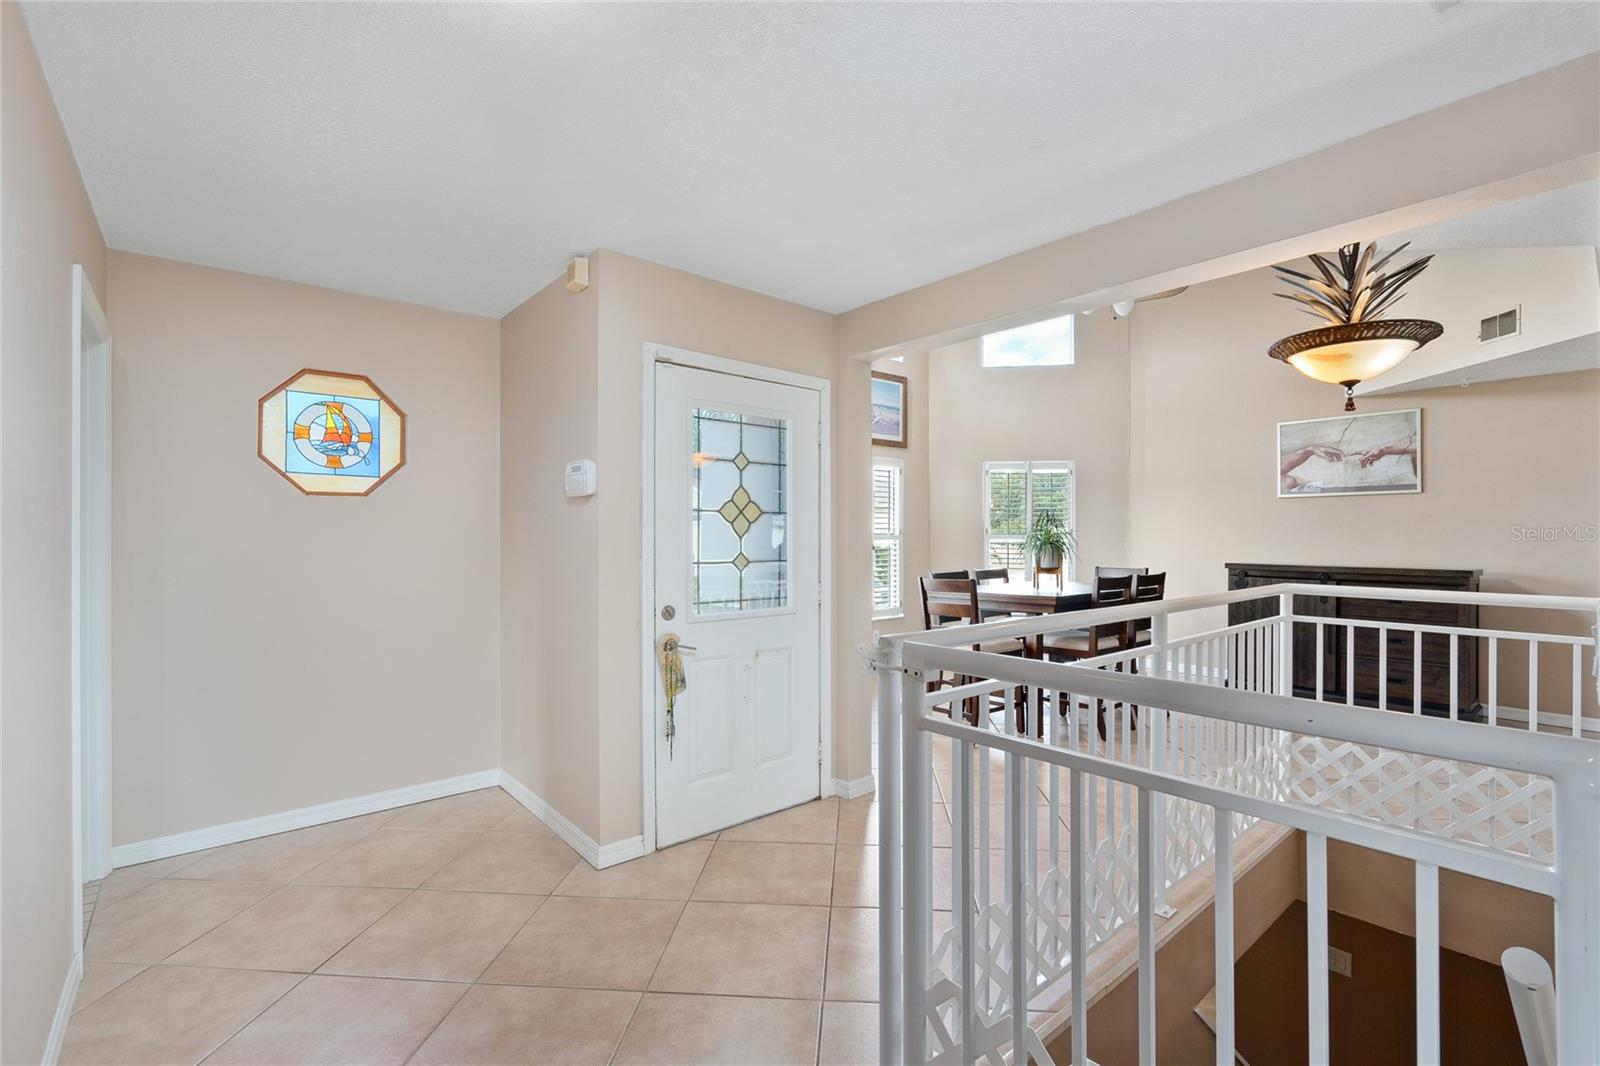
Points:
(1222, 747)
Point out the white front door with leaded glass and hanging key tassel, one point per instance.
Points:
(738, 583)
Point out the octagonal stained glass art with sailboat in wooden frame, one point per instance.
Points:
(332, 435)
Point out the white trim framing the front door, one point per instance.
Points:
(700, 361)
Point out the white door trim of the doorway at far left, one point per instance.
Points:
(90, 593)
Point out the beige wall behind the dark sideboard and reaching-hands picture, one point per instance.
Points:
(1206, 407)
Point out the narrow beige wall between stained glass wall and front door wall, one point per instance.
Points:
(550, 550)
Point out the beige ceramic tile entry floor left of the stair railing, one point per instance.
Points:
(463, 931)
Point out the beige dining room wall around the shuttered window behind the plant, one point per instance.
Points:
(982, 415)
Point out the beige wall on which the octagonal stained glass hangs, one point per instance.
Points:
(238, 691)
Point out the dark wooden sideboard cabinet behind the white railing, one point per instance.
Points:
(1402, 654)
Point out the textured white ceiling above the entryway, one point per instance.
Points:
(831, 154)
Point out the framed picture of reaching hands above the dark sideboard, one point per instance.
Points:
(1353, 455)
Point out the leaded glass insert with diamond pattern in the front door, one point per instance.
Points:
(740, 547)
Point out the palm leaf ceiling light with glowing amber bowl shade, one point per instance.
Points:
(1351, 297)
